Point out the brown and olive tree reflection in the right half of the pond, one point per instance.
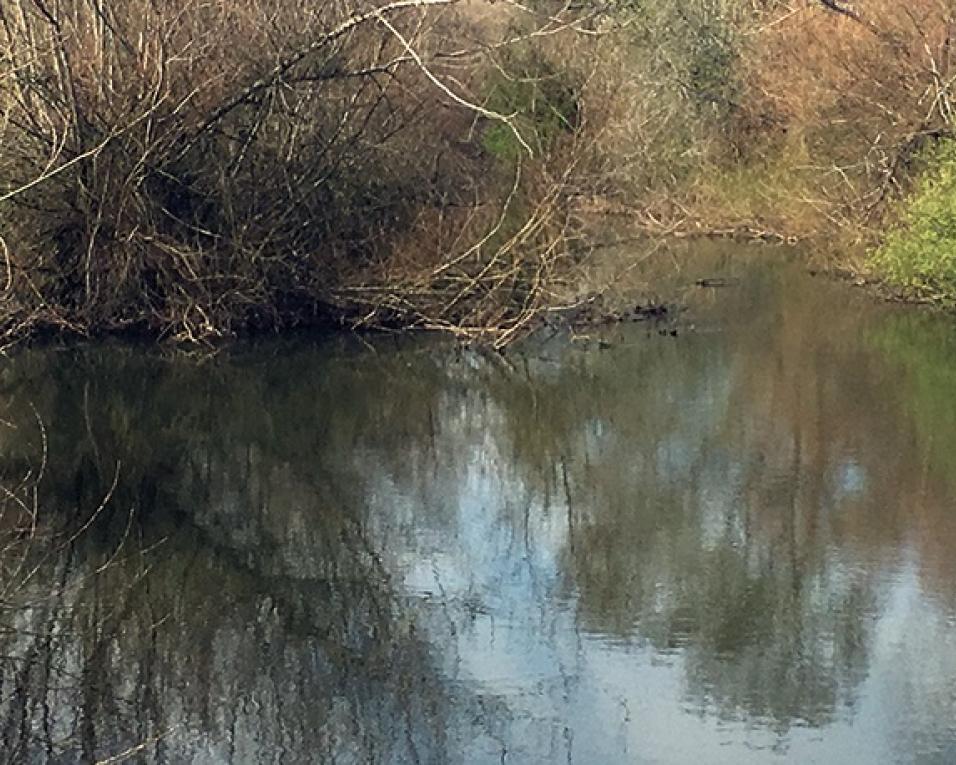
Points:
(713, 516)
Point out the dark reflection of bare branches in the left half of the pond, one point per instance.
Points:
(264, 623)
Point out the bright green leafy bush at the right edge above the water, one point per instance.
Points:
(919, 254)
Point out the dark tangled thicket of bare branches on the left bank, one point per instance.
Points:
(198, 169)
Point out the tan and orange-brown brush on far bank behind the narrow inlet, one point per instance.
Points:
(775, 119)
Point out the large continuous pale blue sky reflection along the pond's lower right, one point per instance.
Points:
(604, 700)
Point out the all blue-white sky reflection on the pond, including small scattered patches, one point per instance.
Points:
(485, 563)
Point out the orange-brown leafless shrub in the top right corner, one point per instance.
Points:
(860, 93)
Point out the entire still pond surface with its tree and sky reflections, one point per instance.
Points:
(737, 545)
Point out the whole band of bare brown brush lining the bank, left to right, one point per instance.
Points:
(196, 169)
